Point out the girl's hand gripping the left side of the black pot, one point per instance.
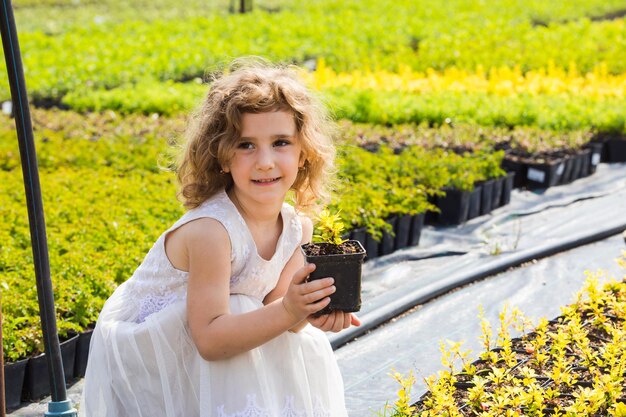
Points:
(305, 298)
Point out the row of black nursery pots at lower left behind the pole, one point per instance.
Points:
(28, 380)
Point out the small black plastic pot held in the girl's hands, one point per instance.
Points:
(344, 268)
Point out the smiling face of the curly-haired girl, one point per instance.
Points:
(266, 158)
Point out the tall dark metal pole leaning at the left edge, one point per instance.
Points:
(59, 406)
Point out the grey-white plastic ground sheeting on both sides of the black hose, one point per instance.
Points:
(533, 219)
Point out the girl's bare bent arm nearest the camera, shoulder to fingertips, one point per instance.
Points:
(216, 332)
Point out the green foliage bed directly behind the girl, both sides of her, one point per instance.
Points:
(108, 194)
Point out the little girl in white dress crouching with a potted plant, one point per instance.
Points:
(217, 320)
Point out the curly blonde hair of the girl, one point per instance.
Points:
(253, 86)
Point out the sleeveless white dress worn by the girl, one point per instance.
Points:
(143, 362)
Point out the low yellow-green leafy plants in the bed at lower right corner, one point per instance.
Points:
(550, 380)
